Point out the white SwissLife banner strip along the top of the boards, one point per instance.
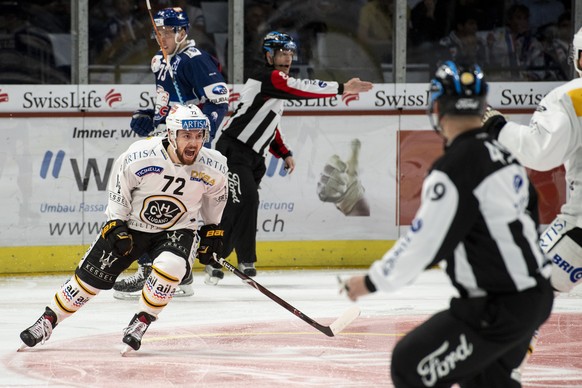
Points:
(127, 98)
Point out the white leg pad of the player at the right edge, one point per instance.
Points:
(565, 251)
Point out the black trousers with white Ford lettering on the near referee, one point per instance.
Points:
(476, 343)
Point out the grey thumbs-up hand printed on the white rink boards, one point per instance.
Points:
(339, 182)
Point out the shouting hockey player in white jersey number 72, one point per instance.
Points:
(160, 186)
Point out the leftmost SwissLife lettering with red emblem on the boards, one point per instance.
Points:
(84, 99)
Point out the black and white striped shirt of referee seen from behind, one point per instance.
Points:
(474, 214)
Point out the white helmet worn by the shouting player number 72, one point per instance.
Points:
(186, 118)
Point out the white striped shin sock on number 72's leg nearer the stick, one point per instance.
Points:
(168, 270)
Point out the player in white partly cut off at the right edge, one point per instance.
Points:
(554, 138)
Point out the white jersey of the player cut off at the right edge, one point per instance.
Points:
(552, 138)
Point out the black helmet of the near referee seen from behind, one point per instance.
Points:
(461, 90)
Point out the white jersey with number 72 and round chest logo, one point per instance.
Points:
(153, 194)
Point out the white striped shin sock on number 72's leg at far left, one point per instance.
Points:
(74, 293)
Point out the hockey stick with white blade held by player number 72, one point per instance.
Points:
(338, 325)
